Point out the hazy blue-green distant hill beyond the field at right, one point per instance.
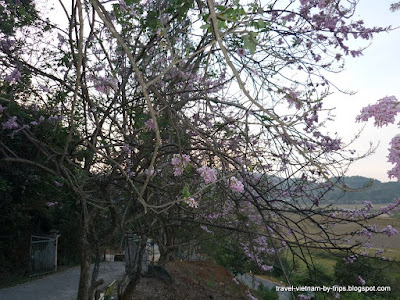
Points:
(373, 190)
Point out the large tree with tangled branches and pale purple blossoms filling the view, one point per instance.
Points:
(177, 112)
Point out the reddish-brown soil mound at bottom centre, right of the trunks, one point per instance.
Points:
(192, 280)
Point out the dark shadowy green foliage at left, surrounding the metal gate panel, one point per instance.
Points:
(27, 191)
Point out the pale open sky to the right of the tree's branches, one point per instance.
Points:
(373, 76)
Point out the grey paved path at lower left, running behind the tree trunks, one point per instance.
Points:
(59, 286)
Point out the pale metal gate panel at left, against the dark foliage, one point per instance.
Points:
(43, 254)
